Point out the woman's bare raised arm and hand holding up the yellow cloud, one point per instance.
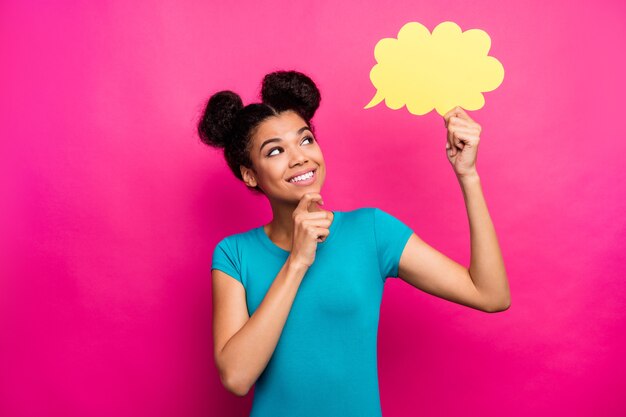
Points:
(484, 285)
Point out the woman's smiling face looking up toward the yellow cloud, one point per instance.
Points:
(284, 147)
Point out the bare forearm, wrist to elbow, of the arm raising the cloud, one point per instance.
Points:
(487, 268)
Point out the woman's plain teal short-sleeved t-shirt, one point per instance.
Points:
(325, 362)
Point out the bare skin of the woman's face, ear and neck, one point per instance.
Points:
(296, 151)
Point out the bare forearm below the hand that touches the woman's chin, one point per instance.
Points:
(247, 353)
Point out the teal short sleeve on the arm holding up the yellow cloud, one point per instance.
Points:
(391, 236)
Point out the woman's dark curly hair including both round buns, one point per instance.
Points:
(227, 124)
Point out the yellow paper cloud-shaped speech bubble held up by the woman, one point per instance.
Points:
(441, 70)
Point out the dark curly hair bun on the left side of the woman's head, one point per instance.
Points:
(218, 118)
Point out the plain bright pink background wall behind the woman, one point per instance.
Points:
(111, 206)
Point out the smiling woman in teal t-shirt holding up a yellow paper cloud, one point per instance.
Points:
(296, 302)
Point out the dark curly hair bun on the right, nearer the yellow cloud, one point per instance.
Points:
(291, 90)
